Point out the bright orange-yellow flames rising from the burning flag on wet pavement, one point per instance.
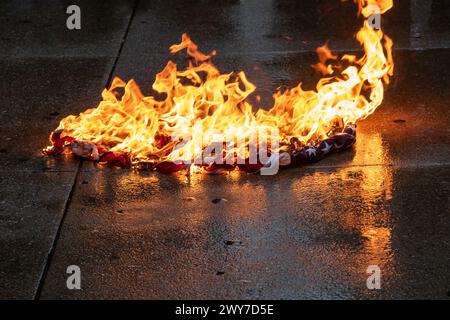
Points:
(203, 107)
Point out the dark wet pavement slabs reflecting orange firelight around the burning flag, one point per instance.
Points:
(309, 232)
